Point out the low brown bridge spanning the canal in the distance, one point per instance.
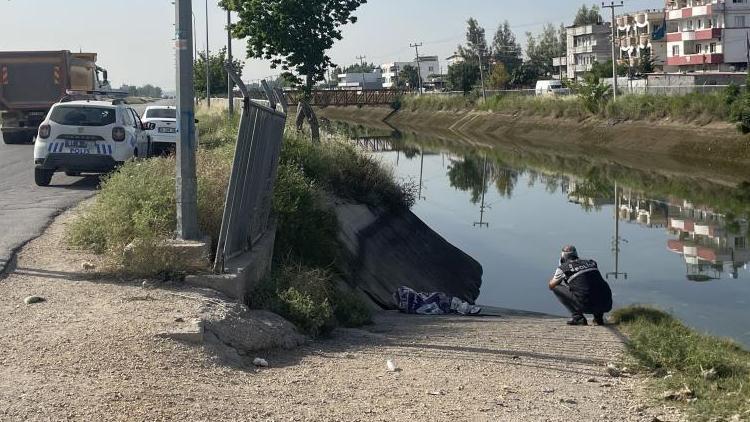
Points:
(342, 97)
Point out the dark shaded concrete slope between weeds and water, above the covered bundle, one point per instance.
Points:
(383, 251)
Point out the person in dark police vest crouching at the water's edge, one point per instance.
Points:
(579, 286)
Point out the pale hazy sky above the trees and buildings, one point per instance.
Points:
(134, 37)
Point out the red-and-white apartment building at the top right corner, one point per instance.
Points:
(708, 35)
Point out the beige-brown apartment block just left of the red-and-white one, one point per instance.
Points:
(639, 32)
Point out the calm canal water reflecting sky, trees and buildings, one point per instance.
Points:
(678, 244)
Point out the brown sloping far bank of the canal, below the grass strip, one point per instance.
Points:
(715, 141)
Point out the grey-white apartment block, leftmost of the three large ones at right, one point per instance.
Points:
(587, 44)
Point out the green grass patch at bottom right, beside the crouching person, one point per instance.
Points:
(677, 356)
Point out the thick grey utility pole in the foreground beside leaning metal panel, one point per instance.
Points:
(186, 183)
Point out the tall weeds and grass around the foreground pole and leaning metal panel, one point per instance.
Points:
(136, 207)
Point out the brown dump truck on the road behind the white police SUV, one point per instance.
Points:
(32, 81)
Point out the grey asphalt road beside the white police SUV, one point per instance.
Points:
(25, 208)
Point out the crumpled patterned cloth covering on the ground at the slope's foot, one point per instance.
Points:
(411, 301)
